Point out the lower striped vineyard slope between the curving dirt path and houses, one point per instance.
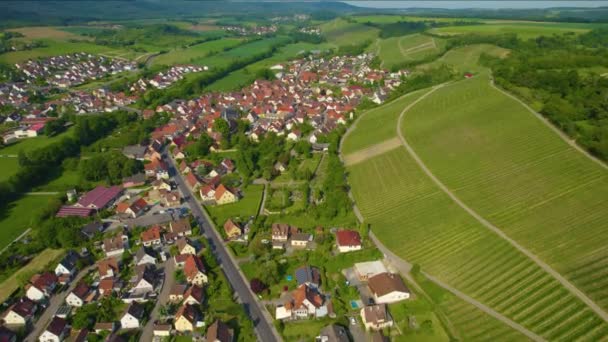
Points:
(417, 221)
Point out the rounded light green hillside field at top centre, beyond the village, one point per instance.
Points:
(340, 32)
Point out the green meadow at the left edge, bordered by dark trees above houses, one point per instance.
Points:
(17, 218)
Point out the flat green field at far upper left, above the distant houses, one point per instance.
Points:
(55, 48)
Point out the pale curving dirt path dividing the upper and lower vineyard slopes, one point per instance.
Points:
(573, 289)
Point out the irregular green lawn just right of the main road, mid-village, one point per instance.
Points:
(245, 207)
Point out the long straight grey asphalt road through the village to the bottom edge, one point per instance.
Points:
(262, 324)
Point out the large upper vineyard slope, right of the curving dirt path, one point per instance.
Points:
(517, 173)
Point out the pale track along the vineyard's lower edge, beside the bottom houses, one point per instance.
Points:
(404, 268)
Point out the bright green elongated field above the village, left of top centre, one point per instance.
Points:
(198, 51)
